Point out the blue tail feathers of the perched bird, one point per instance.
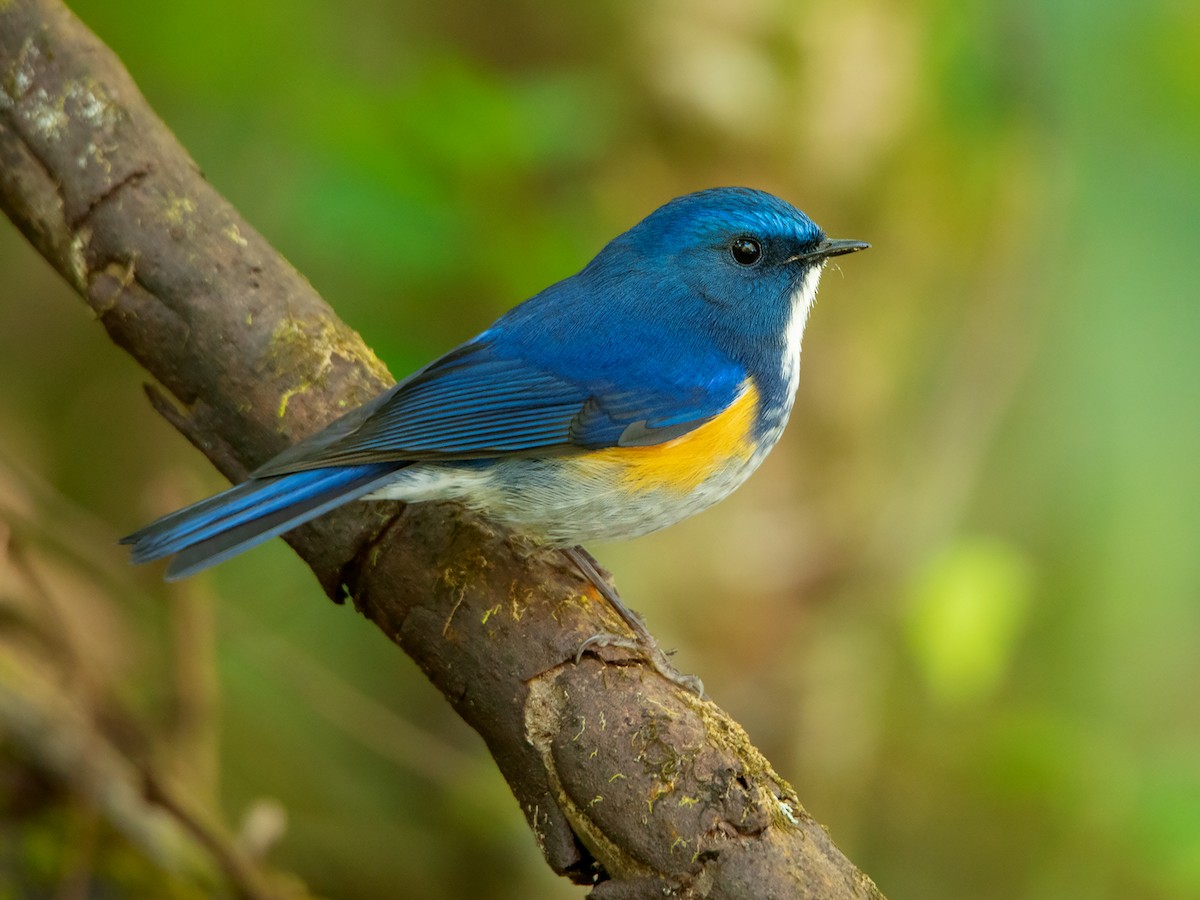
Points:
(220, 527)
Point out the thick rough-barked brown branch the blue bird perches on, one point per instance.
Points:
(622, 776)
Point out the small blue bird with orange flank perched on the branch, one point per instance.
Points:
(619, 401)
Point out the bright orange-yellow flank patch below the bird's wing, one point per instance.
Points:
(688, 461)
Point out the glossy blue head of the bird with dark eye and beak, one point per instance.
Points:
(752, 259)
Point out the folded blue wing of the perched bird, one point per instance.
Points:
(481, 403)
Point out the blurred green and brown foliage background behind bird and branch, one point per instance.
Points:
(959, 608)
